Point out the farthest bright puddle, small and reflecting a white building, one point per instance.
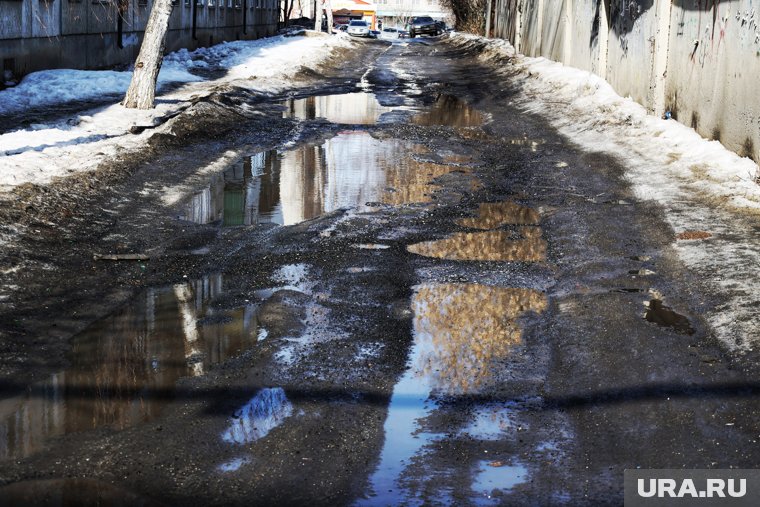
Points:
(350, 108)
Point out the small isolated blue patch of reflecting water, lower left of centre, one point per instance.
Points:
(264, 412)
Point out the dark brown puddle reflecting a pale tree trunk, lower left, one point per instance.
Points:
(124, 367)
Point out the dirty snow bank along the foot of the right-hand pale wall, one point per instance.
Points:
(700, 185)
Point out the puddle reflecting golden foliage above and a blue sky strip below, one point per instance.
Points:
(460, 331)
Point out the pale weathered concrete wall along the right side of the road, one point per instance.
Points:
(699, 59)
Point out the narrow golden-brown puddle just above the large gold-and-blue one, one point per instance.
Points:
(486, 246)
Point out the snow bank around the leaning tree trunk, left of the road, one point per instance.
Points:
(81, 142)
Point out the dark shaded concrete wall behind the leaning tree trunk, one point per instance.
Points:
(91, 34)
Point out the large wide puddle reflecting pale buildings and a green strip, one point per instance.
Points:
(347, 171)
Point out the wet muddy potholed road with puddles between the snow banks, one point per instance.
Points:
(389, 286)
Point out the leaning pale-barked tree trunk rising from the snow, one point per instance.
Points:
(142, 89)
